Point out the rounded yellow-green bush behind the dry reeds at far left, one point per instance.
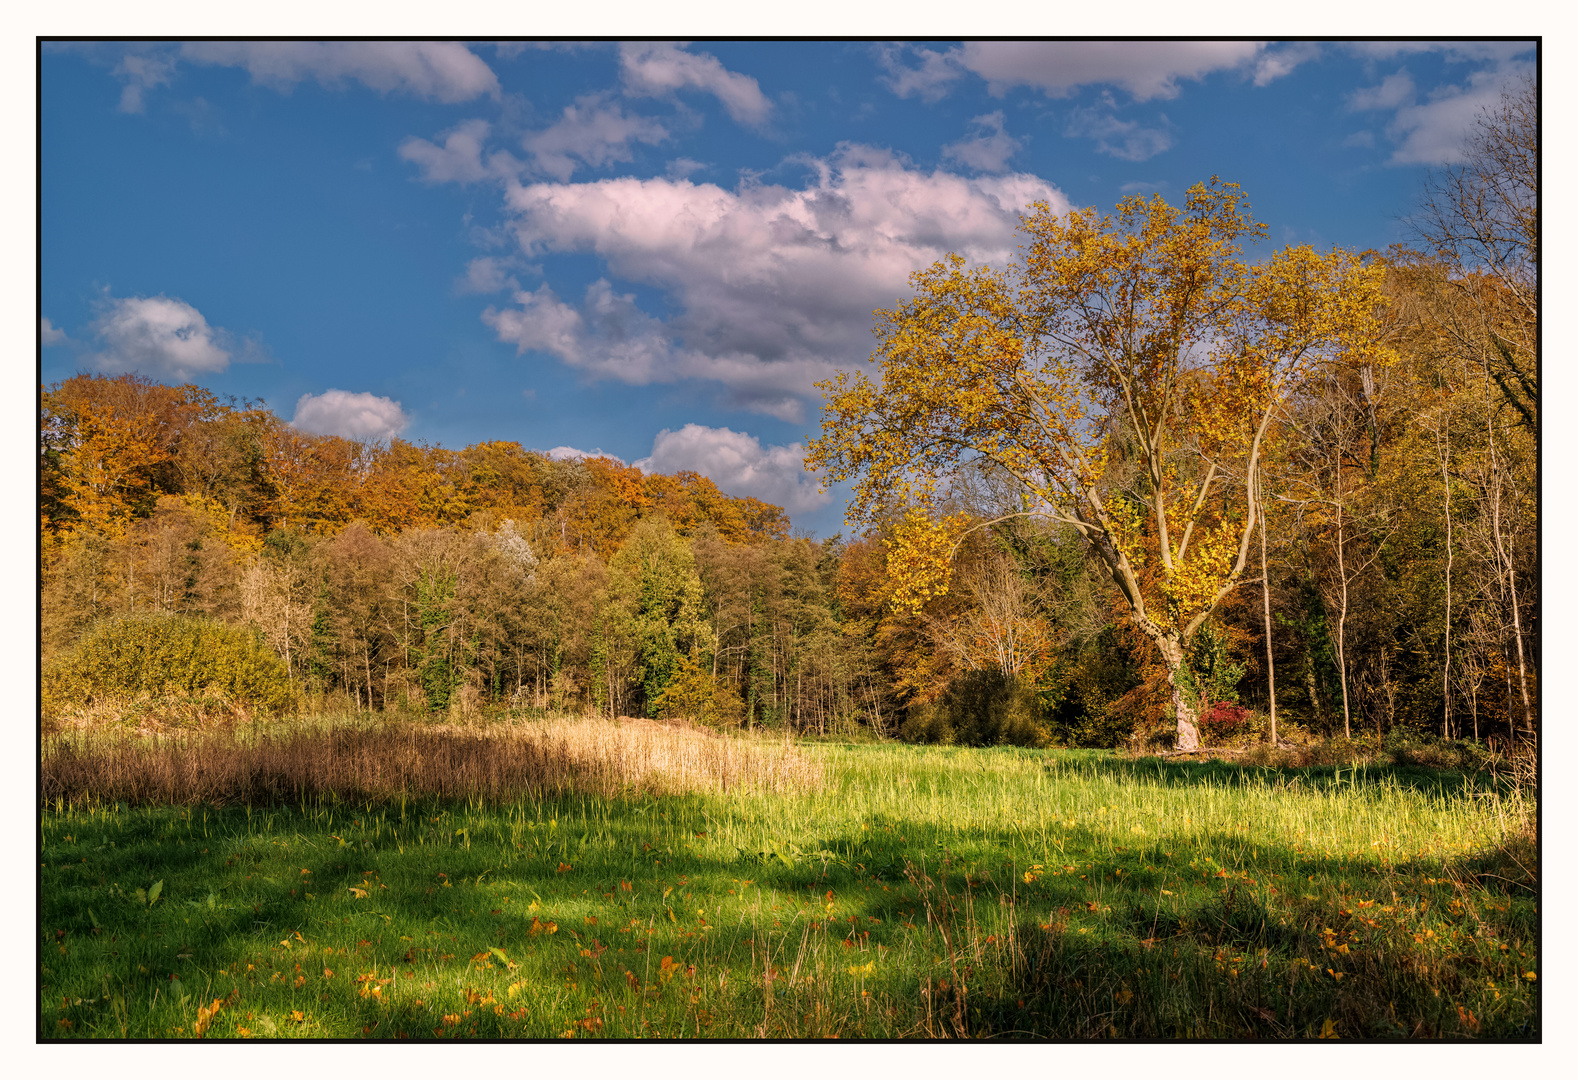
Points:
(149, 661)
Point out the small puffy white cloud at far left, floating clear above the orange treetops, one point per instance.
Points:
(159, 337)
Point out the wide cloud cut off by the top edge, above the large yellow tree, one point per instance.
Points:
(1145, 69)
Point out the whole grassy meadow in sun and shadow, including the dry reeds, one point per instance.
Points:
(733, 888)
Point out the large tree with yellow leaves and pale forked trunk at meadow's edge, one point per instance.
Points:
(1126, 370)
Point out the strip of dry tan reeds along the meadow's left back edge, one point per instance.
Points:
(413, 762)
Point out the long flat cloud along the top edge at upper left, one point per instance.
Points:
(438, 70)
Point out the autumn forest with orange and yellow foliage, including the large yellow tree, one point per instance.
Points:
(1350, 438)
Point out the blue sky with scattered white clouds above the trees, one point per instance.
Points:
(651, 250)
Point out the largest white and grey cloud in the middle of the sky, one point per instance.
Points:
(774, 287)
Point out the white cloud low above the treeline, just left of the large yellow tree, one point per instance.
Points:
(739, 465)
